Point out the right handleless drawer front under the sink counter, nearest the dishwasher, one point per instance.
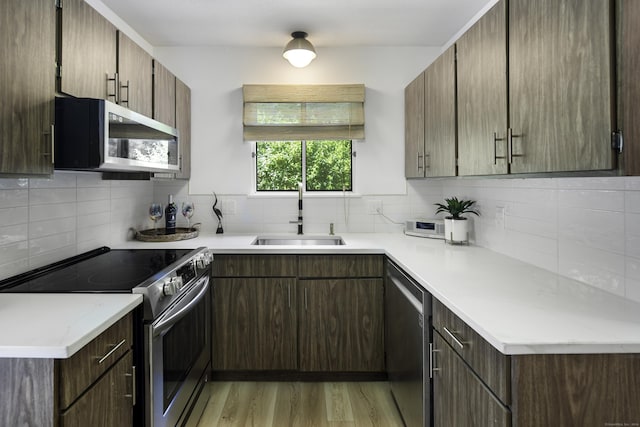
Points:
(340, 266)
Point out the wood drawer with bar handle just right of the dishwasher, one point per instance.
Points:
(489, 364)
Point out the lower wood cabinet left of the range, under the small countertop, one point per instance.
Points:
(94, 387)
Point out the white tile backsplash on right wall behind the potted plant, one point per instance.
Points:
(584, 228)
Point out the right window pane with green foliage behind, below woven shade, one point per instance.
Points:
(328, 165)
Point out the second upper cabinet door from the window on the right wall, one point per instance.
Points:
(440, 116)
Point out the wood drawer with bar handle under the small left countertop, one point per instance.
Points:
(83, 368)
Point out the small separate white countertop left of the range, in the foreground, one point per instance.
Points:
(57, 325)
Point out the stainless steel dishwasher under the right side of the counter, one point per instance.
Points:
(408, 334)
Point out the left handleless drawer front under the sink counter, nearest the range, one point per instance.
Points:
(255, 266)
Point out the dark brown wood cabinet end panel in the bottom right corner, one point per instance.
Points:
(587, 390)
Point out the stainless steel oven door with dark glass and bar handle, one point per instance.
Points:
(179, 357)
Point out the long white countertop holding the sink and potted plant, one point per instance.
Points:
(517, 307)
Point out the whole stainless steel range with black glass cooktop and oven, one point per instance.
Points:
(172, 331)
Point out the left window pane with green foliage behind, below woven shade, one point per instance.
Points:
(278, 165)
